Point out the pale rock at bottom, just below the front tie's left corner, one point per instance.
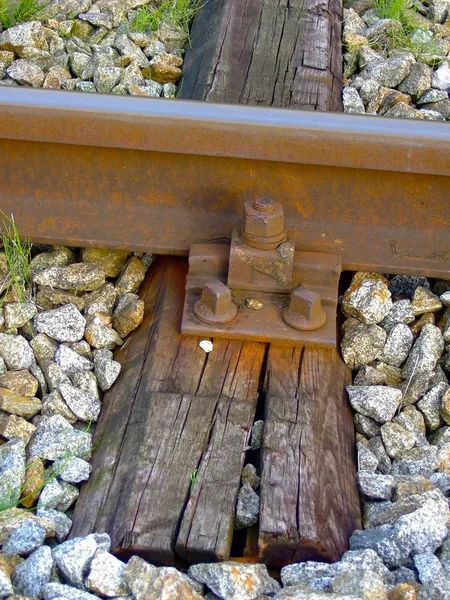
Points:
(106, 575)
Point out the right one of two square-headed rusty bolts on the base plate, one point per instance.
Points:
(305, 310)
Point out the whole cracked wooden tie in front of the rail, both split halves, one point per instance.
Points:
(171, 443)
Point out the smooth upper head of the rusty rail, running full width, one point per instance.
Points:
(198, 128)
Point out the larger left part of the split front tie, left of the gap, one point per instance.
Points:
(173, 410)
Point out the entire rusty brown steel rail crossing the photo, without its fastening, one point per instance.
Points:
(161, 175)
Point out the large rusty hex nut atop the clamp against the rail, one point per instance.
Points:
(263, 224)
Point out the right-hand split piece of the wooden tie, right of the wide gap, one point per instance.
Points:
(309, 496)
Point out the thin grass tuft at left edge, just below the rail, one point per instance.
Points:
(18, 259)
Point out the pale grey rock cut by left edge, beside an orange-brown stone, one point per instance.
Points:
(12, 472)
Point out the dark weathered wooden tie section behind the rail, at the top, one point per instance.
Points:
(272, 53)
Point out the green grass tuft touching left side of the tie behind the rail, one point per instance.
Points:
(177, 12)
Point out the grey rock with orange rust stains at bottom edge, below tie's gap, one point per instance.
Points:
(235, 581)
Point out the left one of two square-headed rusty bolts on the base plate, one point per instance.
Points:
(215, 305)
